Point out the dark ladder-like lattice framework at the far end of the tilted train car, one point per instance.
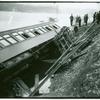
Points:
(63, 39)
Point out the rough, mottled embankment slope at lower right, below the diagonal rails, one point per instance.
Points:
(82, 79)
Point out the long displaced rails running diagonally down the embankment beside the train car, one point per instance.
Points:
(65, 56)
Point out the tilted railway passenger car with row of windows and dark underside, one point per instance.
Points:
(25, 55)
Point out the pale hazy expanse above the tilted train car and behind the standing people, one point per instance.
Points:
(25, 14)
